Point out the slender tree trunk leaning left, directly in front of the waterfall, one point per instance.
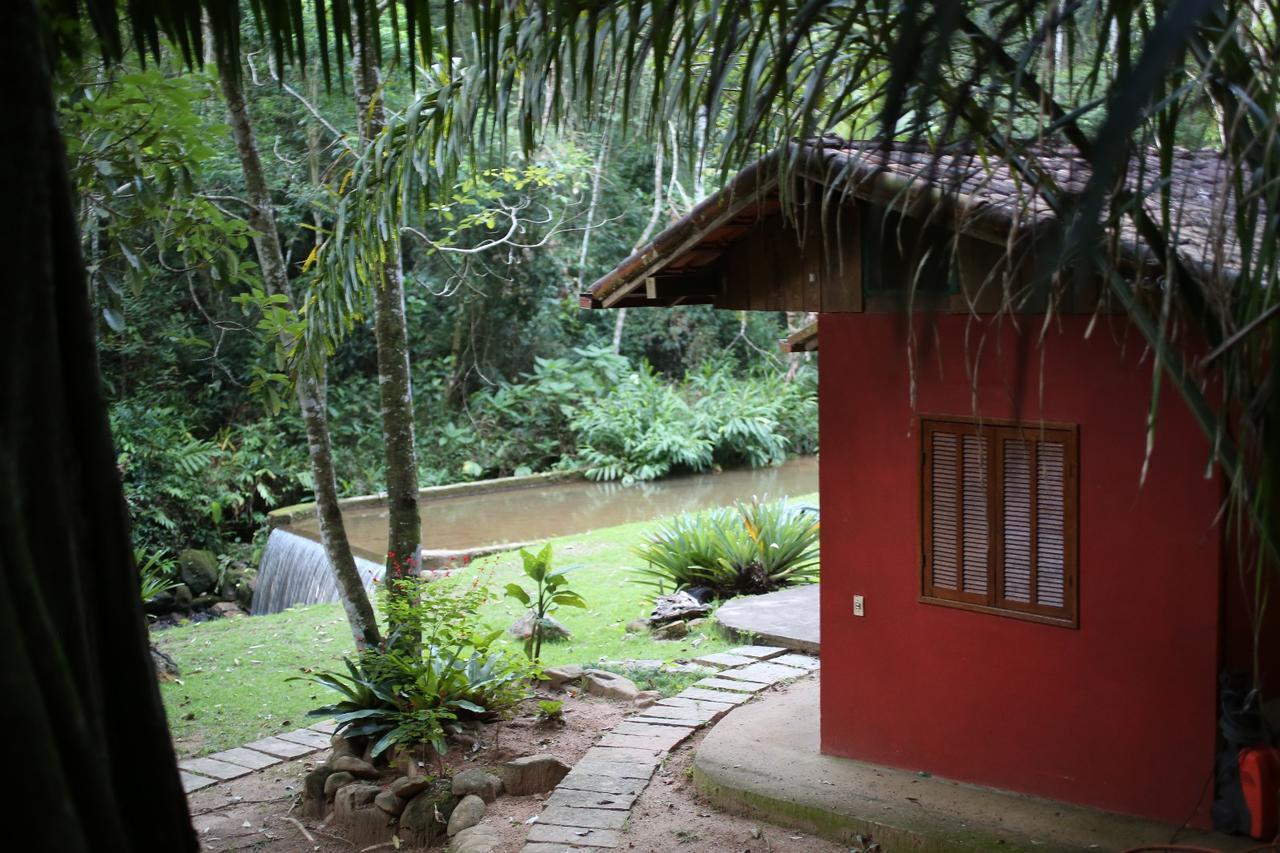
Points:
(310, 390)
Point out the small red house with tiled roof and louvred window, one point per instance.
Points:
(1037, 613)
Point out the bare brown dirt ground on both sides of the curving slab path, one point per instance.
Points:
(262, 811)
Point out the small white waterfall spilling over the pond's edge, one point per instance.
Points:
(295, 571)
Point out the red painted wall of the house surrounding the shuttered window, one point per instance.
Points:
(1119, 714)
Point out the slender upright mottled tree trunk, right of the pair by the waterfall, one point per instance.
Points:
(405, 533)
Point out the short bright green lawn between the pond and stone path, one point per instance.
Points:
(234, 686)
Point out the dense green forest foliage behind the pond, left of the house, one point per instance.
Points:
(510, 376)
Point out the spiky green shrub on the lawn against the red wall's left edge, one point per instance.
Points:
(743, 551)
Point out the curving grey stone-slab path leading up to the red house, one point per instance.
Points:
(593, 804)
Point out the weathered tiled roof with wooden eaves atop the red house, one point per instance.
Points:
(966, 193)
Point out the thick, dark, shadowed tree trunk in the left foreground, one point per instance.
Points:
(84, 710)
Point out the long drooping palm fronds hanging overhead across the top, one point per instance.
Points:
(1009, 80)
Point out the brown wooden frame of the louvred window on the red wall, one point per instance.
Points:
(994, 600)
